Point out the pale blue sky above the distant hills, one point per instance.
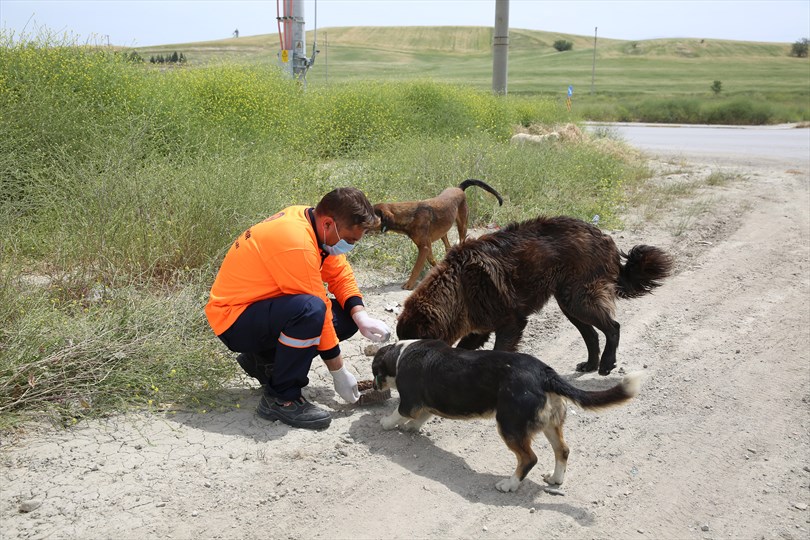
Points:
(140, 23)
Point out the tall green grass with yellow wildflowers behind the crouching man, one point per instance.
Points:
(121, 186)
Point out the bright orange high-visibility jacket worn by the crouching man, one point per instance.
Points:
(277, 257)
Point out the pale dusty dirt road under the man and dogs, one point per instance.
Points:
(716, 445)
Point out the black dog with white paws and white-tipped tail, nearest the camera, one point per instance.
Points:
(525, 396)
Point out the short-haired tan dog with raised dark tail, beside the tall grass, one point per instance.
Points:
(426, 221)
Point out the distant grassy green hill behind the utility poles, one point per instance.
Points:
(675, 67)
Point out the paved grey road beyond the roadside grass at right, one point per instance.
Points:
(743, 144)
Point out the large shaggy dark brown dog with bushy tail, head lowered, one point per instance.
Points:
(494, 282)
